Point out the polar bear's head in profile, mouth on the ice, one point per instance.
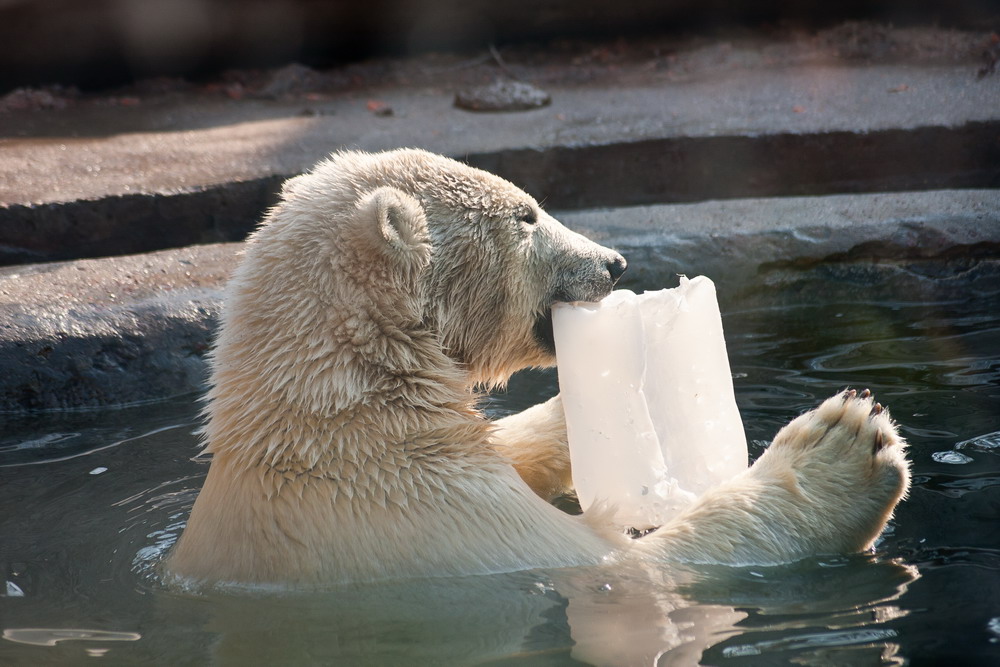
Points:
(414, 239)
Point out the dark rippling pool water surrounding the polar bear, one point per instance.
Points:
(90, 501)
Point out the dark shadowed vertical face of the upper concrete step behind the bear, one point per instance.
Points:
(675, 169)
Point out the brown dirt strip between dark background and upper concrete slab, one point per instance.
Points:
(167, 104)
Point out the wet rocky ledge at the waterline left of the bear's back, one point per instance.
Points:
(109, 332)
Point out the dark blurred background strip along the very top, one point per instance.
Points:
(97, 43)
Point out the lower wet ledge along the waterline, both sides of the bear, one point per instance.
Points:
(153, 344)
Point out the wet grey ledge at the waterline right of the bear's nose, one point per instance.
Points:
(737, 241)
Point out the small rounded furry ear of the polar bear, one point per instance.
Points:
(393, 224)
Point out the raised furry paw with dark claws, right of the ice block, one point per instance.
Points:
(844, 468)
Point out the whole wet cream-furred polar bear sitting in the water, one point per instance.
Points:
(373, 301)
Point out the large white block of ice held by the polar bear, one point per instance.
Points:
(649, 402)
